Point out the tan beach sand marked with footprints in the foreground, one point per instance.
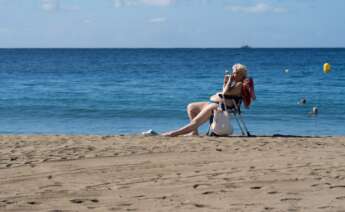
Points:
(136, 173)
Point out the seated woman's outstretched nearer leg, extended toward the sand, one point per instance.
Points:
(201, 118)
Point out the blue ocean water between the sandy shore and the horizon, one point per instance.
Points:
(127, 91)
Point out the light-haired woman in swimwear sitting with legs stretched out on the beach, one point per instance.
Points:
(200, 112)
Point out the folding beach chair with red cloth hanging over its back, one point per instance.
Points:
(234, 108)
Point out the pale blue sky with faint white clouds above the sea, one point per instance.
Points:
(171, 23)
